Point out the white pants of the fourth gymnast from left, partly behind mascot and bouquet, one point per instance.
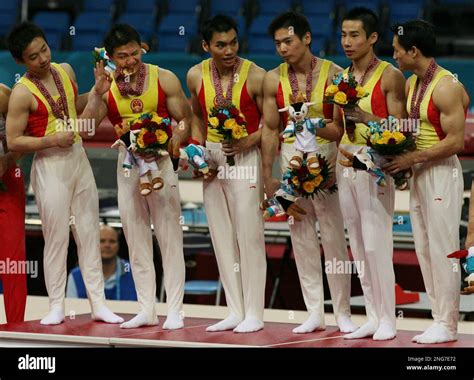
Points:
(306, 246)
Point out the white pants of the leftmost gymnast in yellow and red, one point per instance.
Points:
(66, 195)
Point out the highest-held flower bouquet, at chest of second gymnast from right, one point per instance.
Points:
(346, 93)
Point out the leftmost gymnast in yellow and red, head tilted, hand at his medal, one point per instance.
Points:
(61, 175)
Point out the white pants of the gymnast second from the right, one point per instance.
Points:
(368, 214)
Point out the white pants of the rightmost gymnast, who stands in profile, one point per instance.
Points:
(435, 207)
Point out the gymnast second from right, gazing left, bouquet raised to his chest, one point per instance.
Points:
(367, 207)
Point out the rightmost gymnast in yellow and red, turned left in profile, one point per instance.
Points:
(438, 102)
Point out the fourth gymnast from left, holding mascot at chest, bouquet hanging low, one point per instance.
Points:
(305, 73)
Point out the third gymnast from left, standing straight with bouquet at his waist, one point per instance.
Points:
(227, 101)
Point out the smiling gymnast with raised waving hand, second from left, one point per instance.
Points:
(132, 90)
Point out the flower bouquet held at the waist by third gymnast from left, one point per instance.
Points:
(230, 123)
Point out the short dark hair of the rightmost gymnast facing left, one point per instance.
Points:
(419, 33)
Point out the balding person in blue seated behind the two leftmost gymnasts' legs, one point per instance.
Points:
(118, 278)
